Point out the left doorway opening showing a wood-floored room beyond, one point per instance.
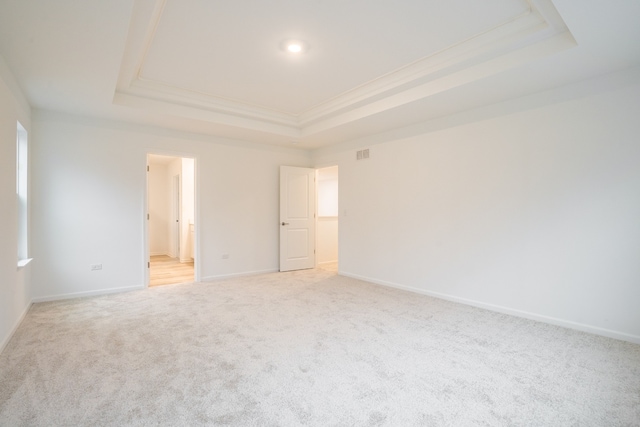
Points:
(171, 219)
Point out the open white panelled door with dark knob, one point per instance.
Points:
(297, 218)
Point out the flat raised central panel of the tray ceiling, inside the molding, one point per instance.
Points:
(198, 46)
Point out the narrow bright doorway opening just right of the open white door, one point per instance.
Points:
(327, 219)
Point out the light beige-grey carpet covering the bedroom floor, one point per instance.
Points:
(306, 348)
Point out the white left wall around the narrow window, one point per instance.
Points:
(15, 295)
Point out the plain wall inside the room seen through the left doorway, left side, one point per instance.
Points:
(159, 194)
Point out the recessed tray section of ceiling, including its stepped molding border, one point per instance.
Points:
(220, 62)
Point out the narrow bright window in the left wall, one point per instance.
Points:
(22, 163)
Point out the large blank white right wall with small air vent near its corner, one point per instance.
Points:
(535, 213)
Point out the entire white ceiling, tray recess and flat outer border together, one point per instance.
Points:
(216, 67)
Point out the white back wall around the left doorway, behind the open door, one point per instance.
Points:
(89, 203)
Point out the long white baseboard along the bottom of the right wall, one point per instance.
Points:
(506, 310)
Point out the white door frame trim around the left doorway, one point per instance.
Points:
(196, 213)
